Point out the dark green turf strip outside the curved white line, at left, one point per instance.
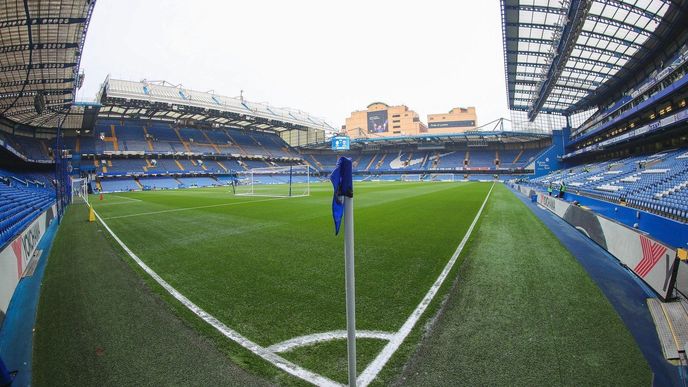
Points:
(99, 324)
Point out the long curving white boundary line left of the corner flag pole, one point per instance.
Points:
(231, 334)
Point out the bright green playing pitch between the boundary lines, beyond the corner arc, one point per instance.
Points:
(273, 270)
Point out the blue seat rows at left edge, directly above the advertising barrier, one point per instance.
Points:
(19, 206)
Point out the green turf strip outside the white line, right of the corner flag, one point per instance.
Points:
(524, 312)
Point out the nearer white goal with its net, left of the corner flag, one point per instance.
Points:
(285, 181)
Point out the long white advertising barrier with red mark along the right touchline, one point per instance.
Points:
(652, 261)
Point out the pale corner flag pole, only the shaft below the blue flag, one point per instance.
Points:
(350, 287)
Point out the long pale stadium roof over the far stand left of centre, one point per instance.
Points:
(164, 101)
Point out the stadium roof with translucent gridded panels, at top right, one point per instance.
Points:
(560, 54)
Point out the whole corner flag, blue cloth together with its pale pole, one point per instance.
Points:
(343, 206)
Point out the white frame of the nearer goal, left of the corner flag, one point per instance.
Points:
(285, 171)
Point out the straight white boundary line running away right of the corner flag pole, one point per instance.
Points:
(383, 357)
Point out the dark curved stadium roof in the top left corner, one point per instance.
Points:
(40, 50)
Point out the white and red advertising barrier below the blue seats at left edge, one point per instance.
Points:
(17, 258)
